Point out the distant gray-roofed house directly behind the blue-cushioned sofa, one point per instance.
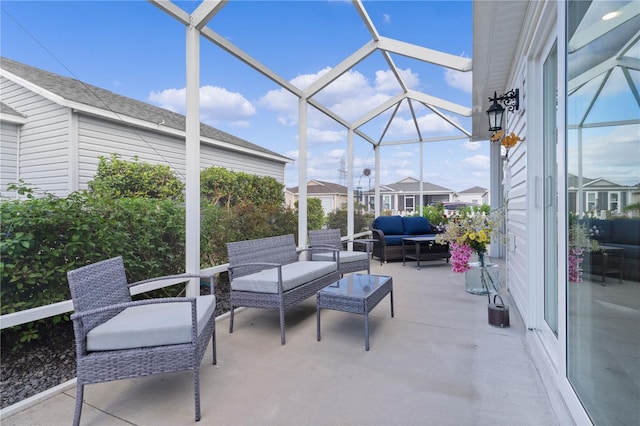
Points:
(403, 197)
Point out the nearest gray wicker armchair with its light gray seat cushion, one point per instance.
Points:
(117, 338)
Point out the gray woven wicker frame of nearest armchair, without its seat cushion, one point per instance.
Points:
(100, 291)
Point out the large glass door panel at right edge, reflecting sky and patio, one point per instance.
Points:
(603, 163)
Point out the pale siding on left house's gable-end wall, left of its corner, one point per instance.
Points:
(43, 139)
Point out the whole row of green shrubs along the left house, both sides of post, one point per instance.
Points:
(43, 238)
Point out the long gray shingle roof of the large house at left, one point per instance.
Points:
(92, 96)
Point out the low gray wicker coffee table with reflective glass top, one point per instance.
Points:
(357, 294)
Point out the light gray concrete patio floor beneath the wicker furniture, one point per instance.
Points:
(438, 362)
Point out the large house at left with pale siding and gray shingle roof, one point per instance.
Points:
(54, 128)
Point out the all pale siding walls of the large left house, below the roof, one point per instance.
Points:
(59, 149)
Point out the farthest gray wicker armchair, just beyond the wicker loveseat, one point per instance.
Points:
(350, 261)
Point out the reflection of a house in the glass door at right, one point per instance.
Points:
(598, 196)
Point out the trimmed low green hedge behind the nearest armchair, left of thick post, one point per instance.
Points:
(43, 238)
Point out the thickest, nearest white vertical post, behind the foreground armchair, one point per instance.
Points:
(192, 143)
